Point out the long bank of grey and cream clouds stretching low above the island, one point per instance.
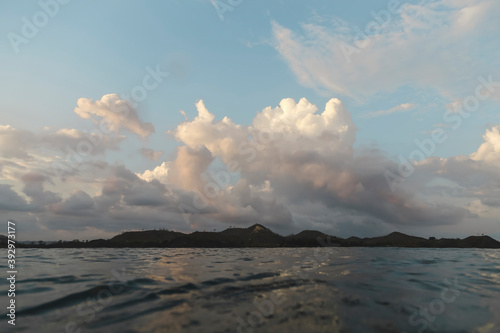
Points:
(295, 167)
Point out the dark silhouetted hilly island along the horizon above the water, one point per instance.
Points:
(259, 236)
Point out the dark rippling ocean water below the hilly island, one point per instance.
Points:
(256, 290)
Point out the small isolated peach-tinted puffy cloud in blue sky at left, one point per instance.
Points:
(116, 114)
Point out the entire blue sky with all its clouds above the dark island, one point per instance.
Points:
(349, 117)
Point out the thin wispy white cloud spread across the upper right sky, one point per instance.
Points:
(431, 44)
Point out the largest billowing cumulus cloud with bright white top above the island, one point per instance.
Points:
(302, 156)
